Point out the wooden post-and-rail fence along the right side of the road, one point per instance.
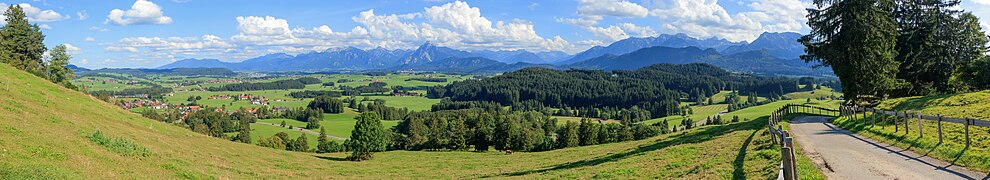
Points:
(899, 118)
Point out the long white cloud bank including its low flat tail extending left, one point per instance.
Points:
(455, 24)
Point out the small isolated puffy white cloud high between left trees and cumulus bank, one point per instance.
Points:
(142, 12)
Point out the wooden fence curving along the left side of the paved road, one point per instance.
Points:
(788, 162)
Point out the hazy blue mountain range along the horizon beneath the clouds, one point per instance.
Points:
(780, 51)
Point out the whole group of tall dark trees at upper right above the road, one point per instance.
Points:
(897, 48)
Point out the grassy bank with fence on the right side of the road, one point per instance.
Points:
(953, 149)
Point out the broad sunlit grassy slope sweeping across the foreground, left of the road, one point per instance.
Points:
(43, 131)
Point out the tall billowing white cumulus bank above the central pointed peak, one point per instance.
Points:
(454, 24)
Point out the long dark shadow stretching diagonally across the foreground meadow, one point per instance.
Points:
(694, 136)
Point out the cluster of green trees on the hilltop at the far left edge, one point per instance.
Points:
(22, 46)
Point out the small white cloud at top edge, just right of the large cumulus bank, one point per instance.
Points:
(614, 8)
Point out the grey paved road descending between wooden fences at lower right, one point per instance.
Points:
(844, 155)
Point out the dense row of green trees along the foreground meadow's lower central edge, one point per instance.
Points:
(481, 130)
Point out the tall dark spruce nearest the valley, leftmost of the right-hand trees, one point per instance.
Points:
(857, 39)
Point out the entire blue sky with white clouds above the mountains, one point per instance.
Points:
(151, 33)
